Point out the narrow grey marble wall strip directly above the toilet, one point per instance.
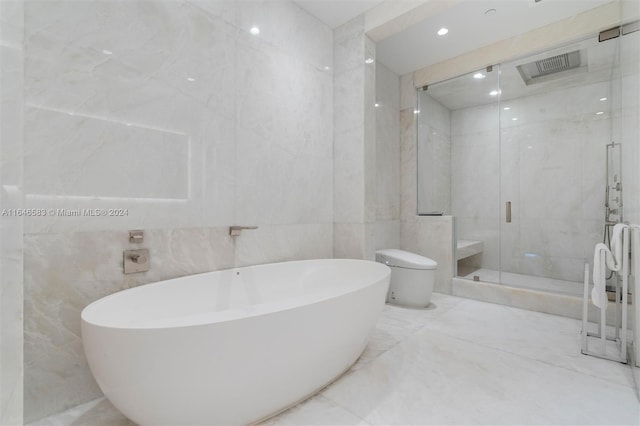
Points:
(387, 158)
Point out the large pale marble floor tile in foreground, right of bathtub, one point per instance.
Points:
(434, 378)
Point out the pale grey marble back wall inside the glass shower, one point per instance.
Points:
(552, 159)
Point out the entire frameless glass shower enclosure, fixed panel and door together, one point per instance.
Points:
(535, 158)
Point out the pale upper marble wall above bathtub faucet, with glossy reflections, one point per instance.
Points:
(227, 104)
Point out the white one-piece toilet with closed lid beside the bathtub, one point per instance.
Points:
(412, 277)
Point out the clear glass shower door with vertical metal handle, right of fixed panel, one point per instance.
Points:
(555, 125)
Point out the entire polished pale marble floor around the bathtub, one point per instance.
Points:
(460, 362)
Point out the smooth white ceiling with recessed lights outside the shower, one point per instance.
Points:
(470, 26)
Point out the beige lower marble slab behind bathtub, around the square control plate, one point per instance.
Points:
(66, 272)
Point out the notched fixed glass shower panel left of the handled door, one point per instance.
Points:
(459, 165)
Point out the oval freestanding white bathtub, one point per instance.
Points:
(234, 346)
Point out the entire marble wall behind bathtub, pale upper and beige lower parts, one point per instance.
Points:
(180, 118)
